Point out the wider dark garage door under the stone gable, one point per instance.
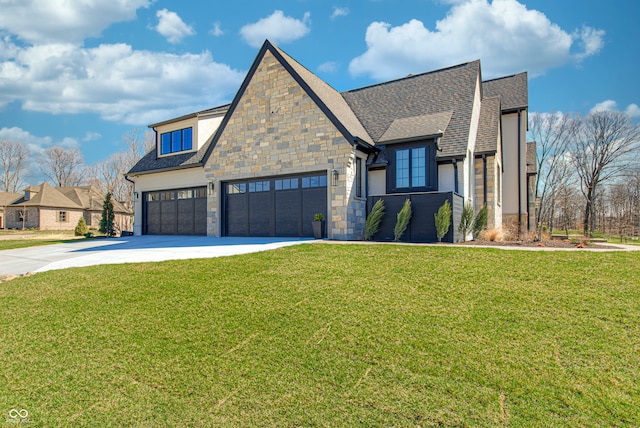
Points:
(278, 206)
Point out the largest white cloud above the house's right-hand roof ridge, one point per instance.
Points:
(505, 35)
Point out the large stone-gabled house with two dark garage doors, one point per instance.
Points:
(290, 146)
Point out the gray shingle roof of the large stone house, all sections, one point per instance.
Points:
(415, 106)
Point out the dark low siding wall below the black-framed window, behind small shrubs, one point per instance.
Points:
(422, 227)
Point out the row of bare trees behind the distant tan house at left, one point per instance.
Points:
(65, 166)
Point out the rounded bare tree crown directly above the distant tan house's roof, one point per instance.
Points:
(62, 166)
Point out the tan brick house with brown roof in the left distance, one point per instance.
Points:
(59, 208)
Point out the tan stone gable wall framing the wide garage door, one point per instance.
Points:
(277, 129)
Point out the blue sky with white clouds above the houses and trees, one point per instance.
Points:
(84, 72)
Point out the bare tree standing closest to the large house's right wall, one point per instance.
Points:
(552, 133)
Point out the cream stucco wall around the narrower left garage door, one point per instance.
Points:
(183, 178)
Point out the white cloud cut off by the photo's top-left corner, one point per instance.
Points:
(64, 21)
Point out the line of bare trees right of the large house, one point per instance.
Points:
(588, 173)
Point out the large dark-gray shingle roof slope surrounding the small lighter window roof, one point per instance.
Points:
(449, 90)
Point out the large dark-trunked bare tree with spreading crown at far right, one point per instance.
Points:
(603, 144)
